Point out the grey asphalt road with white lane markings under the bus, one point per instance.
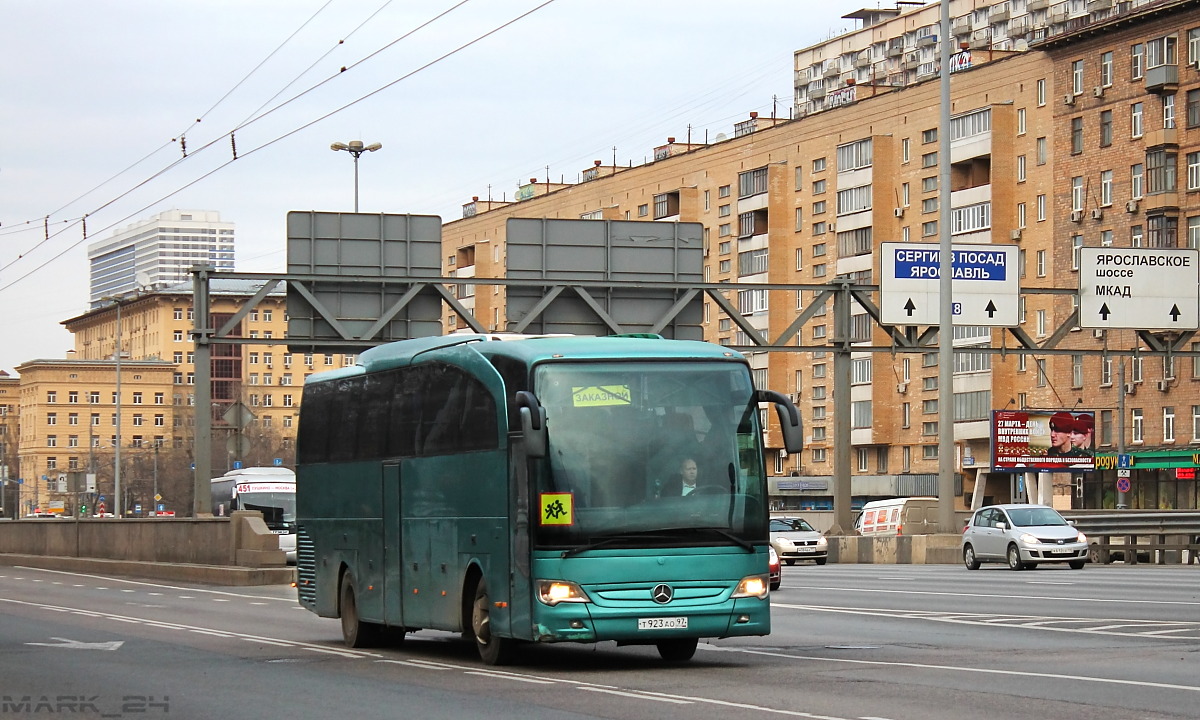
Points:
(856, 643)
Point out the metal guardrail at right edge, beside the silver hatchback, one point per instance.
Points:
(1162, 536)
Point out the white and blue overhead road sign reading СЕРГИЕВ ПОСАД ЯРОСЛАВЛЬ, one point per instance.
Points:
(986, 286)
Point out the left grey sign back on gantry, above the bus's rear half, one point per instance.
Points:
(361, 245)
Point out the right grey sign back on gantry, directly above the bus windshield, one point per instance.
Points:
(566, 251)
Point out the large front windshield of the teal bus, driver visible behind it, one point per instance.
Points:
(645, 454)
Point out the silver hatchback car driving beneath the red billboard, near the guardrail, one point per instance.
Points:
(1023, 537)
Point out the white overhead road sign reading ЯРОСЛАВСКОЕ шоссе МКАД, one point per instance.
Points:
(1144, 289)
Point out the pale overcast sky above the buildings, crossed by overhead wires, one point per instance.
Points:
(95, 98)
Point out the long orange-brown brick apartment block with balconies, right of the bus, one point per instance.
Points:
(809, 200)
